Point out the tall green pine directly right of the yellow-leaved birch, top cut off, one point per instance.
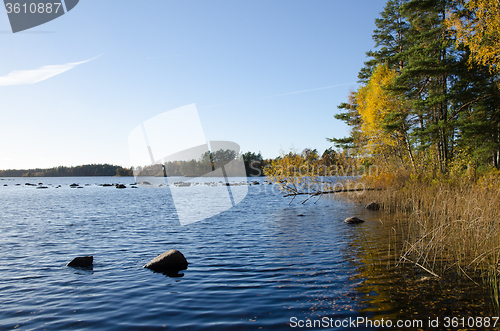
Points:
(427, 77)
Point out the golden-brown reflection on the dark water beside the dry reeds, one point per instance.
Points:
(401, 291)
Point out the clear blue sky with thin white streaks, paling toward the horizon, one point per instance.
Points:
(267, 75)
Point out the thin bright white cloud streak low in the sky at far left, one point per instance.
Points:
(21, 77)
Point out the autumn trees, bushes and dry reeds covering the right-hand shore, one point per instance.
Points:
(425, 130)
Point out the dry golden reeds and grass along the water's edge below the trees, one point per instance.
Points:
(449, 224)
